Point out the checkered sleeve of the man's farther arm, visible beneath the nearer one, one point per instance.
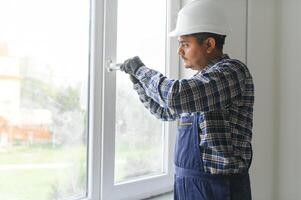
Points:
(159, 112)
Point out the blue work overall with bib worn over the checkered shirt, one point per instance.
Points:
(191, 182)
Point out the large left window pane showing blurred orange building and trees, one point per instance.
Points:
(44, 48)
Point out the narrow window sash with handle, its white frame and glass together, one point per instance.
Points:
(137, 151)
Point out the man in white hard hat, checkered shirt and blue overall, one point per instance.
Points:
(214, 108)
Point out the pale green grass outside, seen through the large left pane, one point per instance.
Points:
(38, 182)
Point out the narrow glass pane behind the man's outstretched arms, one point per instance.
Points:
(139, 135)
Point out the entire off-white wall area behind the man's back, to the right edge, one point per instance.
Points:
(274, 46)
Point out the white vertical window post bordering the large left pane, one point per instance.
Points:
(95, 100)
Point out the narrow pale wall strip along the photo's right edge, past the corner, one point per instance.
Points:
(288, 84)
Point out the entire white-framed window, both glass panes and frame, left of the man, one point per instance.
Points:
(69, 128)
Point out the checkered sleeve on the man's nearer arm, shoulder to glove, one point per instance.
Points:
(213, 90)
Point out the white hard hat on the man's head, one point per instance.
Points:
(201, 16)
